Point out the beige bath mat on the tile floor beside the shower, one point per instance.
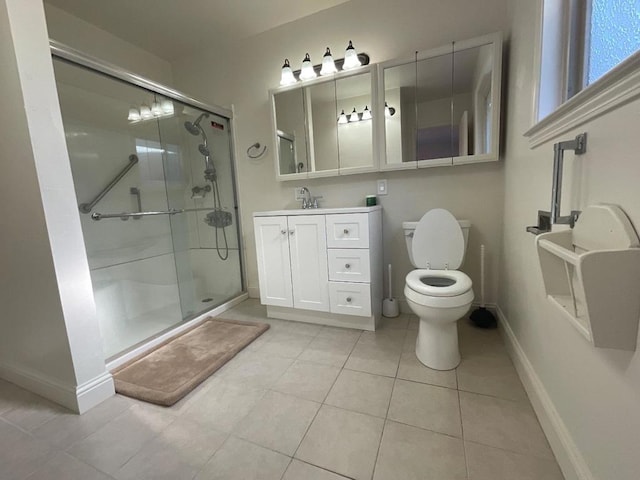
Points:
(175, 367)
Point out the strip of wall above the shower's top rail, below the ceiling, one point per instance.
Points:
(91, 40)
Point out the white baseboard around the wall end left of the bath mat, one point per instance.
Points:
(77, 399)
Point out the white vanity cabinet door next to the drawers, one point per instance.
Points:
(309, 270)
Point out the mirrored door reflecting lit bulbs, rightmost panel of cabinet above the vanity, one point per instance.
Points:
(355, 123)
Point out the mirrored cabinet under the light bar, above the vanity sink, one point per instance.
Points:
(314, 138)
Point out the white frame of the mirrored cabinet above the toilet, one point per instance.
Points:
(494, 39)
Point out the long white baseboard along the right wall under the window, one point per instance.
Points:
(569, 458)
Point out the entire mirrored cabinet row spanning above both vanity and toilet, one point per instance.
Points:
(437, 107)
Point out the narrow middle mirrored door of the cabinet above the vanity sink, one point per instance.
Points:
(323, 129)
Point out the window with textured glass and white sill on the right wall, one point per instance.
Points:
(589, 62)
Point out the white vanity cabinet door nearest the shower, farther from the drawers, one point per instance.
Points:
(274, 266)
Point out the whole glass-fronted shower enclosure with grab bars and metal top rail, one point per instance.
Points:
(154, 179)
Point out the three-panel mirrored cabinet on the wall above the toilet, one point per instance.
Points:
(443, 105)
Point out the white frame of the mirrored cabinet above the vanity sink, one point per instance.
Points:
(374, 167)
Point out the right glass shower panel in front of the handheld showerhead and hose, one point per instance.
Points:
(205, 237)
